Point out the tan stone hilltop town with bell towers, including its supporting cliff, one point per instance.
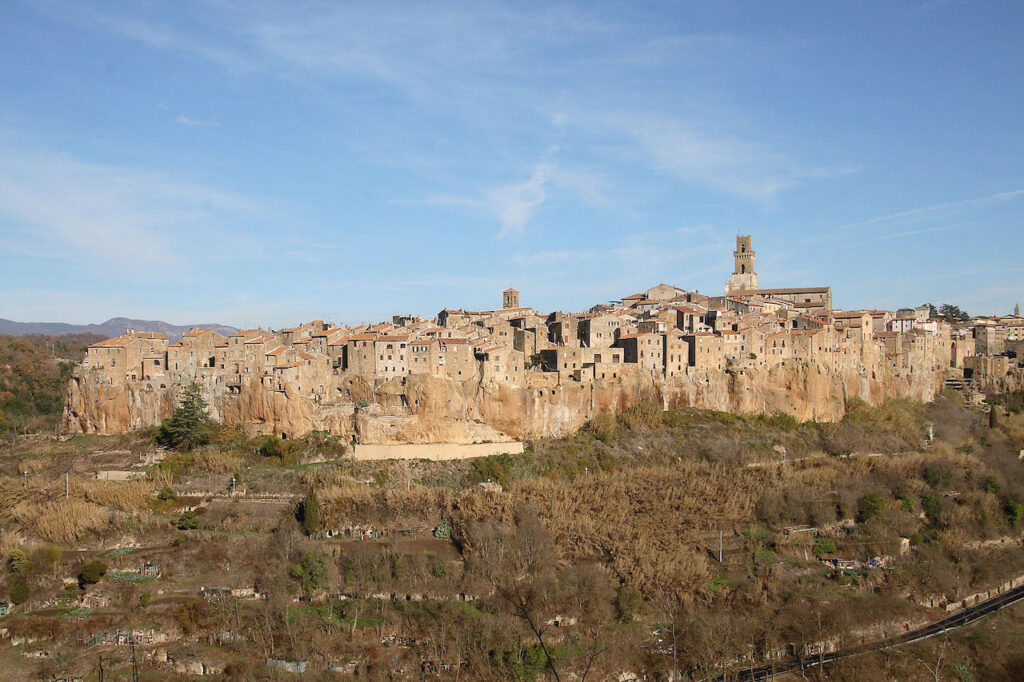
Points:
(478, 376)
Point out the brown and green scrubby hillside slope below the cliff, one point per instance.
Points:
(649, 542)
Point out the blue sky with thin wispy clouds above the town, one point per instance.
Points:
(268, 163)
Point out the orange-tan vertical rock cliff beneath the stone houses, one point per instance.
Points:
(421, 410)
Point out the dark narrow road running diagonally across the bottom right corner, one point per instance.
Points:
(964, 618)
